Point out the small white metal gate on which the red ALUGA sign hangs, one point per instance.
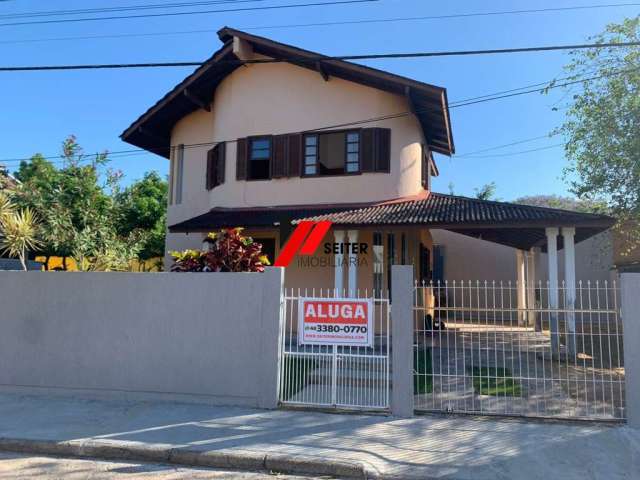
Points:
(333, 376)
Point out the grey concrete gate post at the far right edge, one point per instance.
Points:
(630, 291)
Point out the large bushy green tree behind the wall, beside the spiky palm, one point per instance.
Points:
(82, 207)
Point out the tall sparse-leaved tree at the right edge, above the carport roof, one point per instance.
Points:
(603, 120)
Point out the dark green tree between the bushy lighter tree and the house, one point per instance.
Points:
(143, 206)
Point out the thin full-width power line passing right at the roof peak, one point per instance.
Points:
(335, 23)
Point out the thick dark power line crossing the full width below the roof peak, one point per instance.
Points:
(315, 58)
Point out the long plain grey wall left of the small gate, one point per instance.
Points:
(197, 336)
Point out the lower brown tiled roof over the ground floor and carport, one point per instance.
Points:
(514, 225)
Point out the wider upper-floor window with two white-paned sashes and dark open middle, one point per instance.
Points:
(335, 153)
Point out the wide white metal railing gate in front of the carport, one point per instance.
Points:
(508, 348)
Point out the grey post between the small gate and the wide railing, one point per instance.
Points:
(402, 326)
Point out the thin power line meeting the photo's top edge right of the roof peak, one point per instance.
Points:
(176, 14)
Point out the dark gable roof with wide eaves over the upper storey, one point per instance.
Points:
(152, 130)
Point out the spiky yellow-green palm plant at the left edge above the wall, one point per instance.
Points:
(19, 232)
